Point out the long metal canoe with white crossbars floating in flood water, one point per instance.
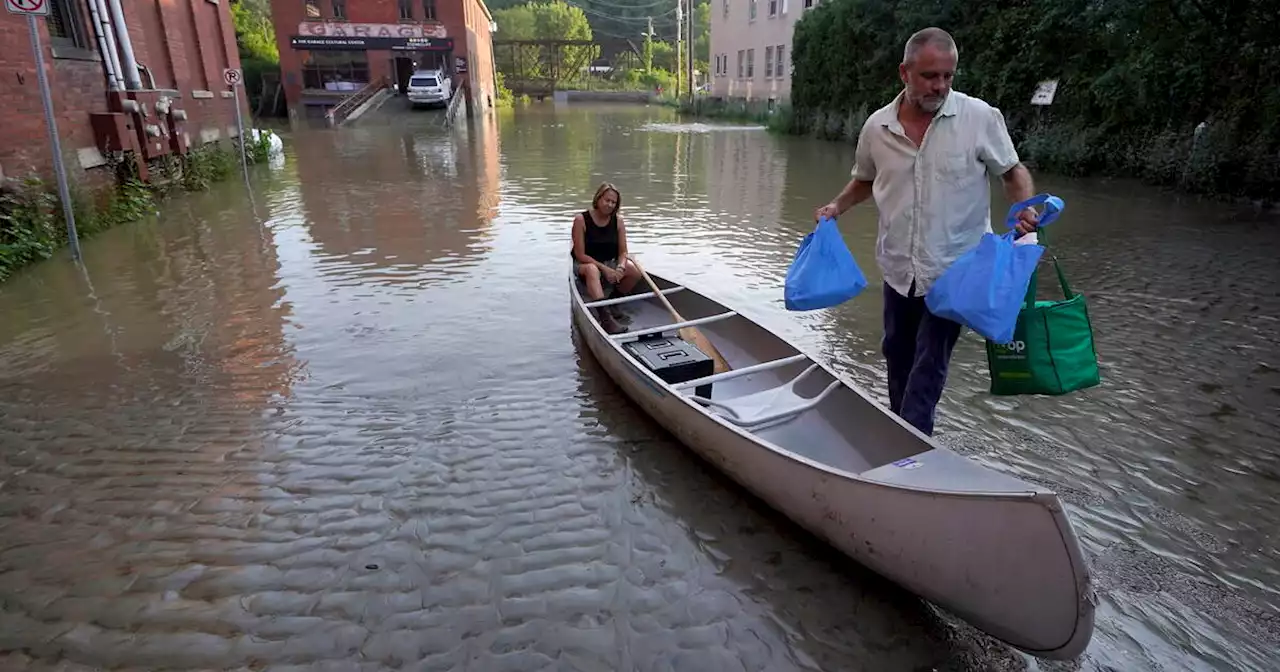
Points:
(990, 548)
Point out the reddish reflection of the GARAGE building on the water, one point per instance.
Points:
(424, 202)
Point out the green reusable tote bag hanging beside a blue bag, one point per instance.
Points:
(1053, 349)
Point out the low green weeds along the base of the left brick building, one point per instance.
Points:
(31, 217)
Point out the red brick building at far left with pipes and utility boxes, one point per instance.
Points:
(125, 76)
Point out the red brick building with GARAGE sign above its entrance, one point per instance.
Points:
(332, 48)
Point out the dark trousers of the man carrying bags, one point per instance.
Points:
(918, 350)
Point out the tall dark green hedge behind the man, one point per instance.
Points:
(1177, 93)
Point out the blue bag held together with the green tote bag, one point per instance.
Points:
(985, 289)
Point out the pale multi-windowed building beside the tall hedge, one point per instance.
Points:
(752, 48)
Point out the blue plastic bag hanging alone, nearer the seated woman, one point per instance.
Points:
(824, 272)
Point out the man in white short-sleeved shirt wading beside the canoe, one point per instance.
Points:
(926, 159)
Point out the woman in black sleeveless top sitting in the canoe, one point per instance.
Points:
(601, 253)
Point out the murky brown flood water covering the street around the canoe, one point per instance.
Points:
(346, 424)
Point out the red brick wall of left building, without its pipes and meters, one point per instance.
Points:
(186, 45)
